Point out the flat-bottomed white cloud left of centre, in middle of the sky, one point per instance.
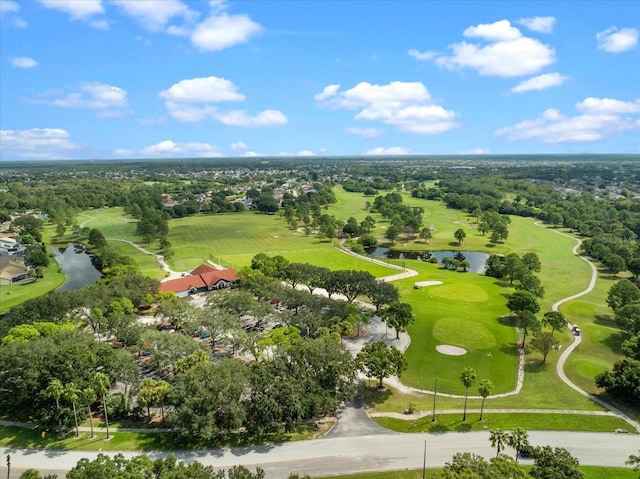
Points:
(202, 90)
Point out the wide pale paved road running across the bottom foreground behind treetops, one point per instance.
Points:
(382, 452)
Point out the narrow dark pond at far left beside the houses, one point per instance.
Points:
(78, 265)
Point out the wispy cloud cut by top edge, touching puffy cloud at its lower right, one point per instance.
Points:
(154, 15)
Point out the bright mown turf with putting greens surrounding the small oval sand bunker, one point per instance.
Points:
(461, 312)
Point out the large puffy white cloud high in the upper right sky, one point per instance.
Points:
(501, 51)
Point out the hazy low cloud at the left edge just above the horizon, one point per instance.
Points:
(36, 144)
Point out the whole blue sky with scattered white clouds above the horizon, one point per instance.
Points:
(169, 78)
